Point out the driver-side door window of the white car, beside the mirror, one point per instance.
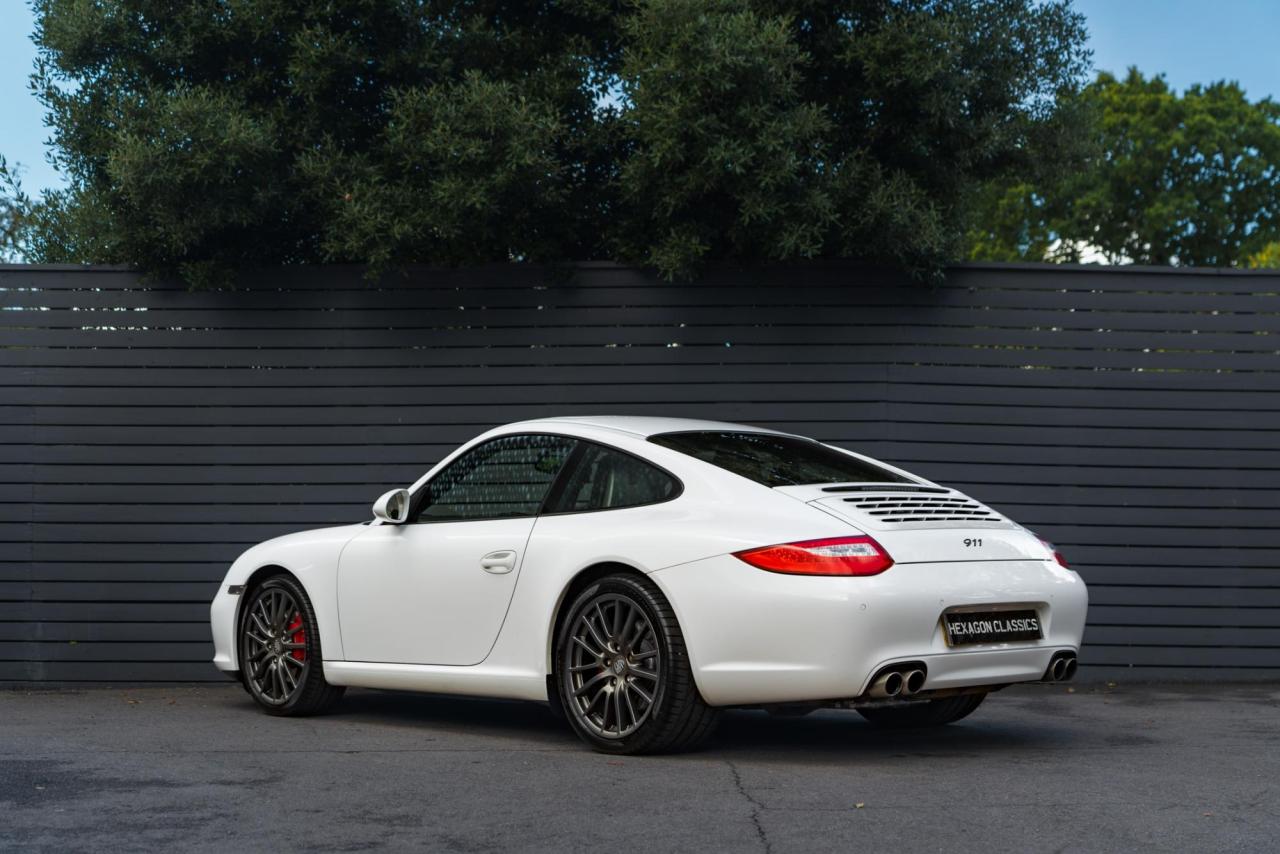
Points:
(504, 478)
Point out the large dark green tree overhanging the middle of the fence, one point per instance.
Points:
(202, 138)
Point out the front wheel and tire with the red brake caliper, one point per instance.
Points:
(280, 651)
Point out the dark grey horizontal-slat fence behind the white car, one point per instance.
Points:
(149, 436)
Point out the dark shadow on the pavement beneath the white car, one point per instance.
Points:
(826, 737)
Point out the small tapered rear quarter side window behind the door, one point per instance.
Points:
(606, 479)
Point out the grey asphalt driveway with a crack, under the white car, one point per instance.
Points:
(1035, 770)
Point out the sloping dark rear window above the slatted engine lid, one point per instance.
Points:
(776, 460)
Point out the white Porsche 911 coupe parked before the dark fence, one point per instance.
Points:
(642, 574)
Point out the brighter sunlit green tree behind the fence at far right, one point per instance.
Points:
(1191, 180)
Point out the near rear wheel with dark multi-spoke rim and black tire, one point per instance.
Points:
(633, 646)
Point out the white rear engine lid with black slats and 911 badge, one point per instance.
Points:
(920, 524)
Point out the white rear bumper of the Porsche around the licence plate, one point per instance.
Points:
(758, 637)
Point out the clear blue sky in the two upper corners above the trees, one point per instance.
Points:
(1190, 42)
